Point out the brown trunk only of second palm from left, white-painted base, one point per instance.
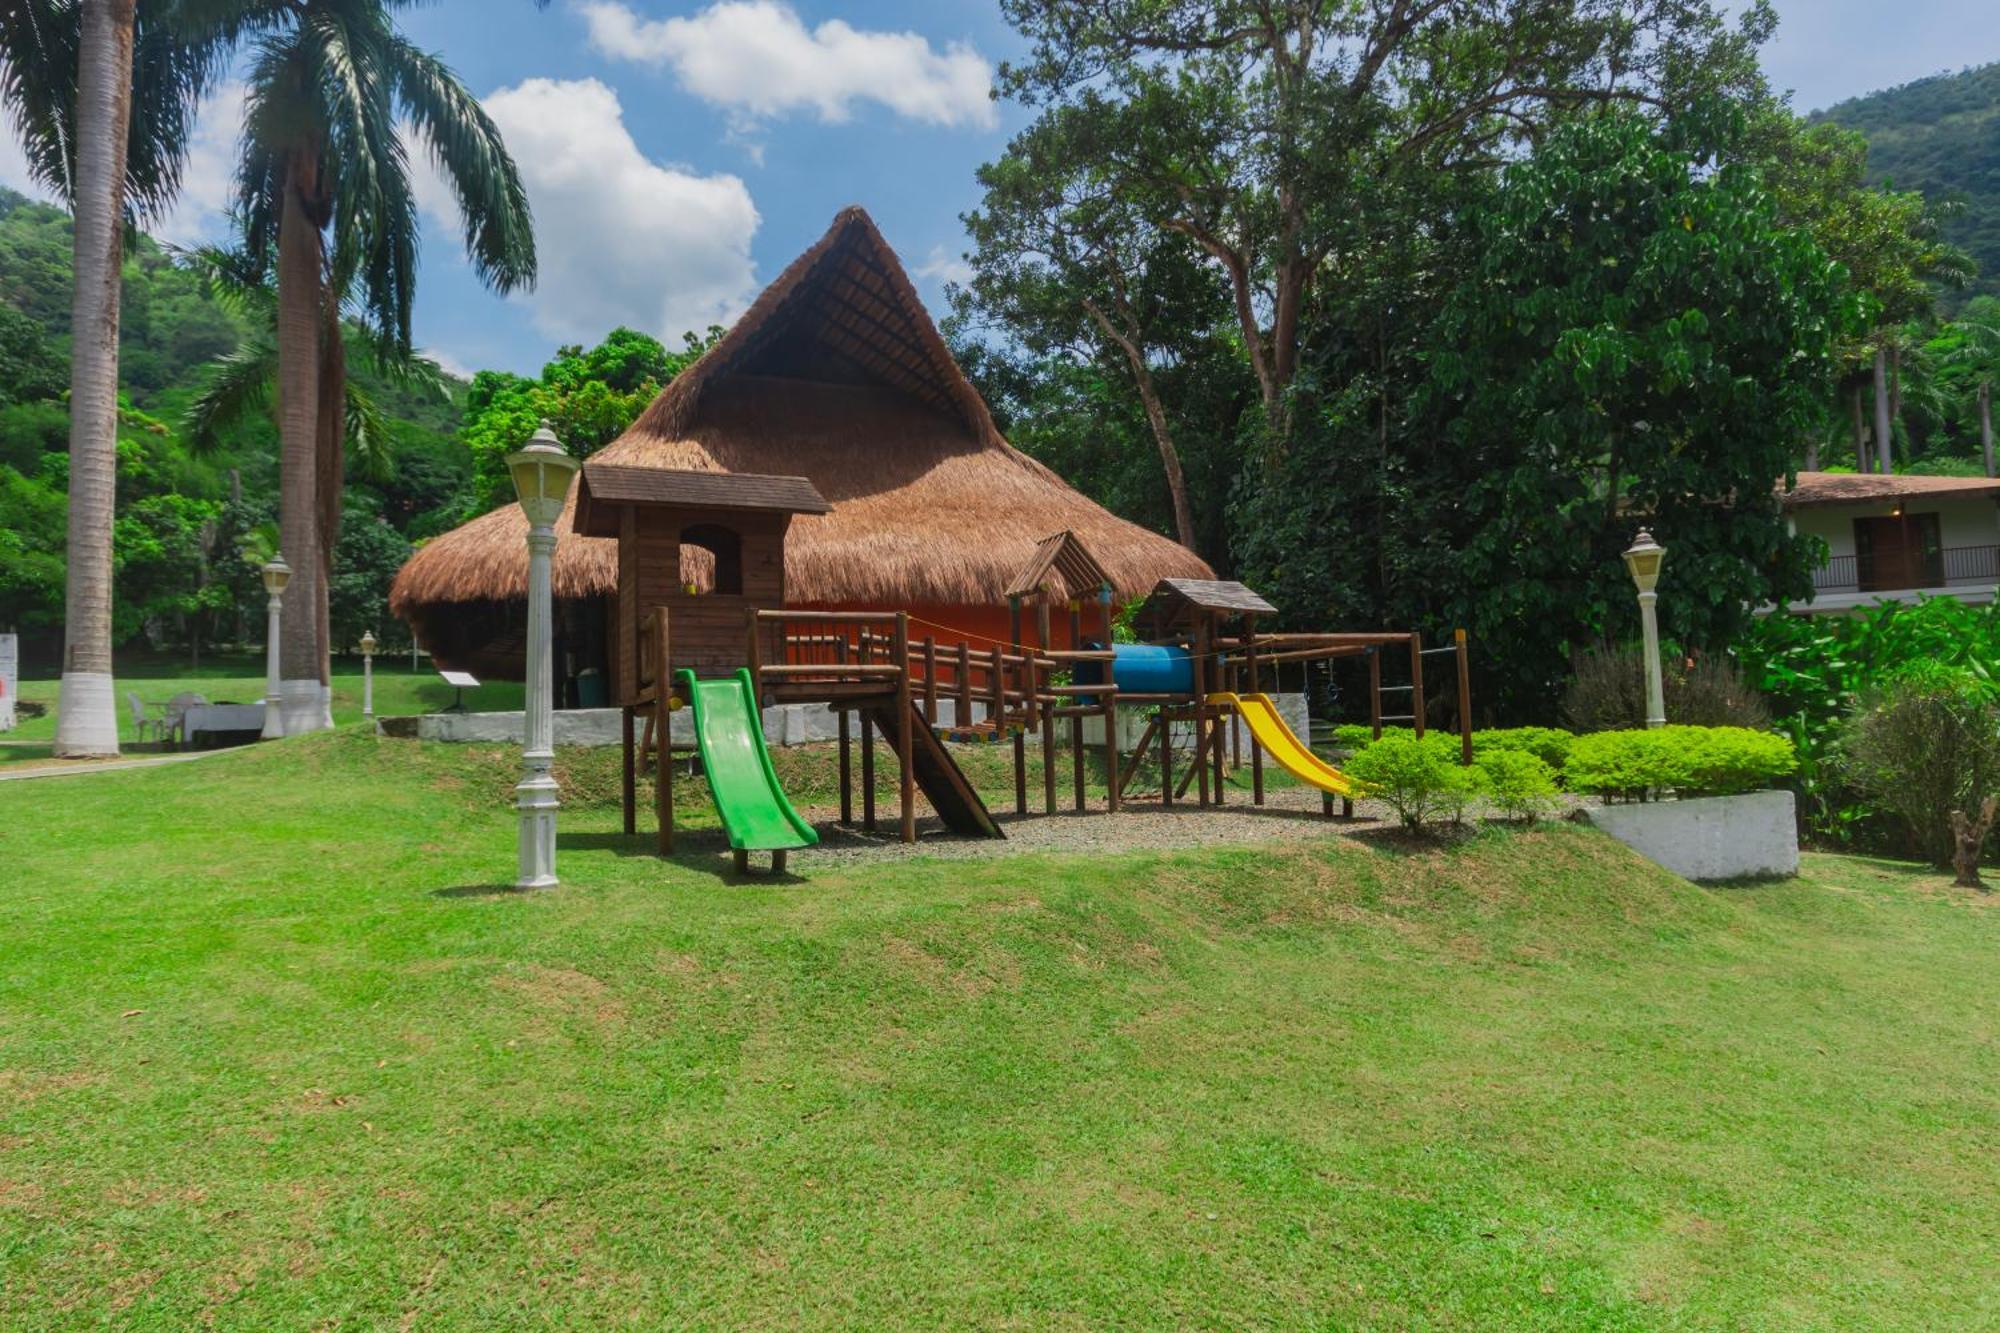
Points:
(299, 407)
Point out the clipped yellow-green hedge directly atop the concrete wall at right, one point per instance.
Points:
(1691, 762)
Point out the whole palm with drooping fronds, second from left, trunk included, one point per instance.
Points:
(329, 85)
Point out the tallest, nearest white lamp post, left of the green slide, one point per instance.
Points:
(543, 473)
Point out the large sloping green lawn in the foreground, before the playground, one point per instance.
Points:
(277, 1054)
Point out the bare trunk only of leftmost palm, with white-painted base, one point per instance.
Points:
(87, 714)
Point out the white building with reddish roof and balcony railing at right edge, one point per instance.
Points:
(1899, 537)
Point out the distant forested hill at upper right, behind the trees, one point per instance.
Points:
(1943, 137)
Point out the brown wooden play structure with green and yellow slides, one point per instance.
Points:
(727, 651)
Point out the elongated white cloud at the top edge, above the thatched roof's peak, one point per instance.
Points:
(757, 57)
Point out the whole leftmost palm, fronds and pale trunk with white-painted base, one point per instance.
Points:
(105, 97)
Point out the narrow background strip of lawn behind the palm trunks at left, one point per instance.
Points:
(241, 680)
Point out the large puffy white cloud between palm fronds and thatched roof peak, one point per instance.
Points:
(621, 239)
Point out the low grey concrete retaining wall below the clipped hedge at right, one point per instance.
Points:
(1715, 838)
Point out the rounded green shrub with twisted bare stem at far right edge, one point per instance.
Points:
(1925, 748)
